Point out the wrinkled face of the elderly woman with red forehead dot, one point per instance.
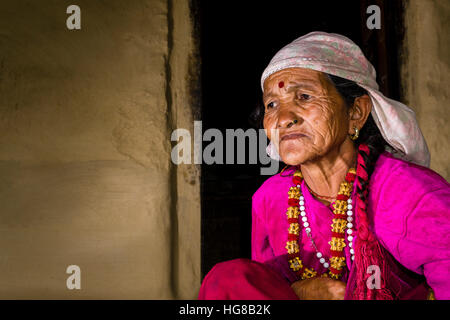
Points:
(310, 114)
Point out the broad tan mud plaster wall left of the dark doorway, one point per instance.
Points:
(85, 170)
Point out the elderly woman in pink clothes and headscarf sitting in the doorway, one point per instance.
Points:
(356, 214)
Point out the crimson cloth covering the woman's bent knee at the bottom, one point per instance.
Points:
(243, 279)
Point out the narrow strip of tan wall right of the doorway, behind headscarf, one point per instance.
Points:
(426, 75)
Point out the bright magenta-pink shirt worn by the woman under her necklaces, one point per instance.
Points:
(409, 212)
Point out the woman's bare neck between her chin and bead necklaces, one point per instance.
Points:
(325, 174)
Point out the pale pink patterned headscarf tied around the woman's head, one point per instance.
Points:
(337, 55)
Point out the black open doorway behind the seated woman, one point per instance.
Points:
(237, 41)
